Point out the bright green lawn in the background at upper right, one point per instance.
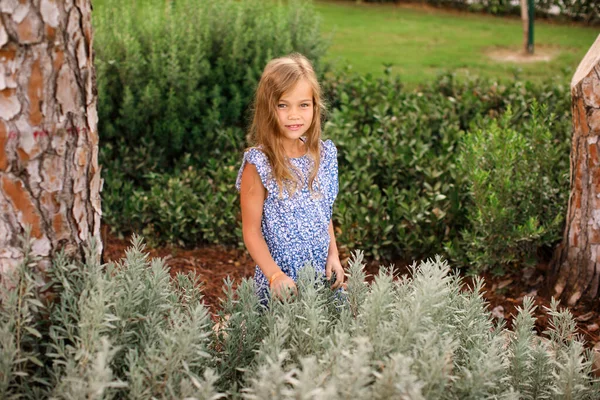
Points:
(421, 43)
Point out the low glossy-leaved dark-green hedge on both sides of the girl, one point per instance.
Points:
(402, 191)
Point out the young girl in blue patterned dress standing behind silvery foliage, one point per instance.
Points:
(288, 180)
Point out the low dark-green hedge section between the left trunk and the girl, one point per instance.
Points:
(186, 207)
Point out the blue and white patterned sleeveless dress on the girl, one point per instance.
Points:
(295, 227)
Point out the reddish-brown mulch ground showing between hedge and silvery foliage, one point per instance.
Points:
(504, 294)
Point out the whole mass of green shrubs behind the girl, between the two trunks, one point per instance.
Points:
(173, 138)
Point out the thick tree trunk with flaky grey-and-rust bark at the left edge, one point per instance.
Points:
(49, 174)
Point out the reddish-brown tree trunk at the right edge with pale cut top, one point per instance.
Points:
(576, 263)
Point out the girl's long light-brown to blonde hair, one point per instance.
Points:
(279, 76)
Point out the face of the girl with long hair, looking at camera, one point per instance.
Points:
(295, 110)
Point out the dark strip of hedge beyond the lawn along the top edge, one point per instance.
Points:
(577, 10)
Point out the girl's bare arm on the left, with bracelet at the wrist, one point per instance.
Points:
(252, 198)
